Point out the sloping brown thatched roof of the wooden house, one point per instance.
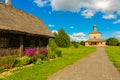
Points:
(15, 20)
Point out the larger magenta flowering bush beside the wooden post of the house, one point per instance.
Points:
(30, 52)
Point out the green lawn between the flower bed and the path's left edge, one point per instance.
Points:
(41, 72)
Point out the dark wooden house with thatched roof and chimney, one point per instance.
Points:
(20, 30)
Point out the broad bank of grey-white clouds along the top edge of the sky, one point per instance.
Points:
(86, 8)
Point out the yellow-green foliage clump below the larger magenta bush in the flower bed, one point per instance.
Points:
(21, 61)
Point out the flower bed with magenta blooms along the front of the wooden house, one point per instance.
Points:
(29, 56)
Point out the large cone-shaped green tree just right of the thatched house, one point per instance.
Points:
(62, 39)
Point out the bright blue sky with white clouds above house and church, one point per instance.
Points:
(76, 16)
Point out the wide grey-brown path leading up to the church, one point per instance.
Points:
(94, 67)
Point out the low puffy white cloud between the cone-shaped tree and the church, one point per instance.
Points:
(78, 37)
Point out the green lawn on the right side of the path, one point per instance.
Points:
(114, 55)
